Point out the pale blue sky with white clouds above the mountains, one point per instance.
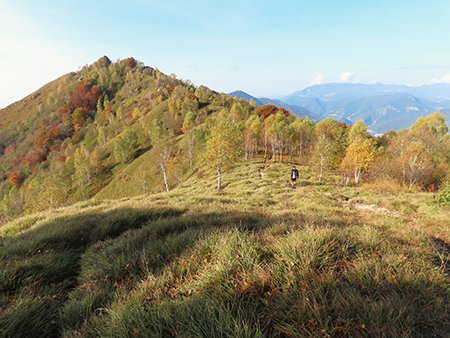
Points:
(266, 48)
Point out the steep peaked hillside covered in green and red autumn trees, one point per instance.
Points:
(71, 138)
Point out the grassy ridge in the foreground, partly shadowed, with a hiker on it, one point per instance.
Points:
(257, 260)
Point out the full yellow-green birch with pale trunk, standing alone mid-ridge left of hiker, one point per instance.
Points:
(223, 147)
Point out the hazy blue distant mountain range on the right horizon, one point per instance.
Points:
(382, 107)
